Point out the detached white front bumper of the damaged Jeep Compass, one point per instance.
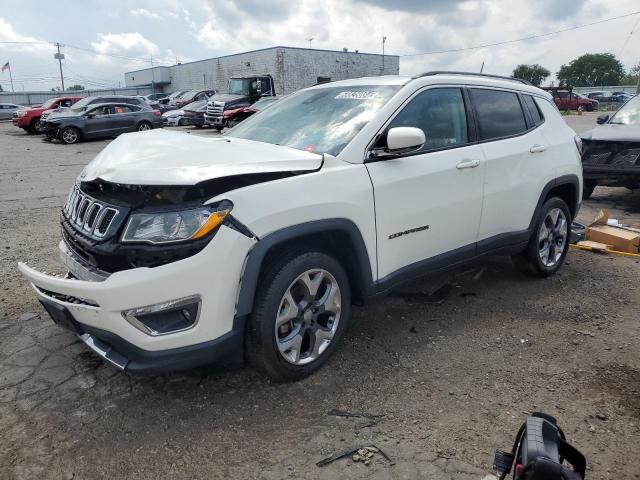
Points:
(97, 306)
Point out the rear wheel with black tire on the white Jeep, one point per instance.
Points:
(549, 243)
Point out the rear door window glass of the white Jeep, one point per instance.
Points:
(499, 113)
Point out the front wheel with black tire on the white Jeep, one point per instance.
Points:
(300, 314)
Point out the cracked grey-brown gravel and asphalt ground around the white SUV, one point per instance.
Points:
(447, 384)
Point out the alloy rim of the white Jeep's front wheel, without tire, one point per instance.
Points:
(308, 317)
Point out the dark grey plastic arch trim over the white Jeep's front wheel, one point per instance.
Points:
(256, 257)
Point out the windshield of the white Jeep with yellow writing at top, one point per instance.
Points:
(321, 120)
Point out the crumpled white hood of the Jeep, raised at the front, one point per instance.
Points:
(161, 157)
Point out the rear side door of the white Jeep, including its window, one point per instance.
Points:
(513, 147)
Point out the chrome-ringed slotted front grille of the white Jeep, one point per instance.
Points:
(86, 214)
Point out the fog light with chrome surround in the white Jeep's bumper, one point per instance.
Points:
(164, 318)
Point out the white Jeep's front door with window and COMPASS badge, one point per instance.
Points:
(428, 203)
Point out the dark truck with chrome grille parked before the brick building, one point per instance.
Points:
(228, 109)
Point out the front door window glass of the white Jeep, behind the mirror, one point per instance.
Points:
(441, 115)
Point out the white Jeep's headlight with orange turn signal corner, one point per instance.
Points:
(175, 226)
